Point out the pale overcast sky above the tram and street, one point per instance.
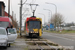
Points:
(64, 7)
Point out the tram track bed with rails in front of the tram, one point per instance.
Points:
(43, 44)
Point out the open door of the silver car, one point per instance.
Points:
(13, 35)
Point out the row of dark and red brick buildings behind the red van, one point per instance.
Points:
(3, 13)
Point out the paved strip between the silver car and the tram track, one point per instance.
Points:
(19, 44)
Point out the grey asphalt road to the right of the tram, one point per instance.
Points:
(61, 39)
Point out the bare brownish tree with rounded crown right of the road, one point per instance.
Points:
(57, 19)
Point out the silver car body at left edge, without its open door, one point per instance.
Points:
(3, 37)
